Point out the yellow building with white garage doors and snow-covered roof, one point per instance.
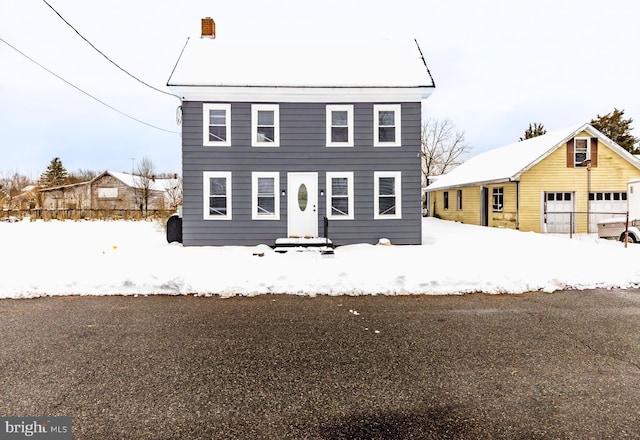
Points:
(560, 182)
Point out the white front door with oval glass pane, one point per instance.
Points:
(302, 204)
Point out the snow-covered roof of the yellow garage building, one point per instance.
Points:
(507, 163)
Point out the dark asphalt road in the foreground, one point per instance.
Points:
(534, 366)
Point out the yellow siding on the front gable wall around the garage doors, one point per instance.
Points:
(552, 174)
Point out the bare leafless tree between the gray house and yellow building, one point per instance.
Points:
(443, 147)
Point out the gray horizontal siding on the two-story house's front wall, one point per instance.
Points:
(302, 149)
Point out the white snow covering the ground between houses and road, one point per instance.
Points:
(126, 258)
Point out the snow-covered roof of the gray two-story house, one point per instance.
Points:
(327, 64)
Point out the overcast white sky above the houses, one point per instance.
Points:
(498, 65)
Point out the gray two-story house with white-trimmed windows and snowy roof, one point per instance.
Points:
(276, 138)
